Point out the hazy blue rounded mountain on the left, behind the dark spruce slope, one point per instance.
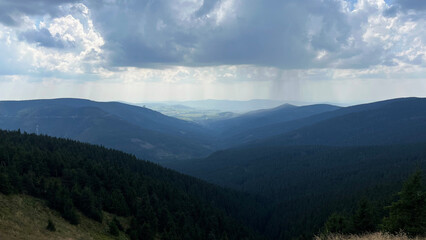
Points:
(141, 131)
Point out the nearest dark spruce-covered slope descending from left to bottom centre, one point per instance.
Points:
(160, 203)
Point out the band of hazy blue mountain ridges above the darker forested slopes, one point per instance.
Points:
(157, 137)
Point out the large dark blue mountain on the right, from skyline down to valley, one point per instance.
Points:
(325, 162)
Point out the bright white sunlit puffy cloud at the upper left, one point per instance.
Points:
(67, 44)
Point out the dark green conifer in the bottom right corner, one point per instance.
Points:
(408, 213)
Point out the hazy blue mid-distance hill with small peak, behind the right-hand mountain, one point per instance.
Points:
(245, 128)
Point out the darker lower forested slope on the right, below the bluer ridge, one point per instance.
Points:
(308, 183)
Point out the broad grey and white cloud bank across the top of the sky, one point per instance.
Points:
(105, 35)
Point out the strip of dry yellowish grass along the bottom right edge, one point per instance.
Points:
(372, 236)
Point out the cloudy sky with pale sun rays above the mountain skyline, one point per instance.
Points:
(341, 51)
